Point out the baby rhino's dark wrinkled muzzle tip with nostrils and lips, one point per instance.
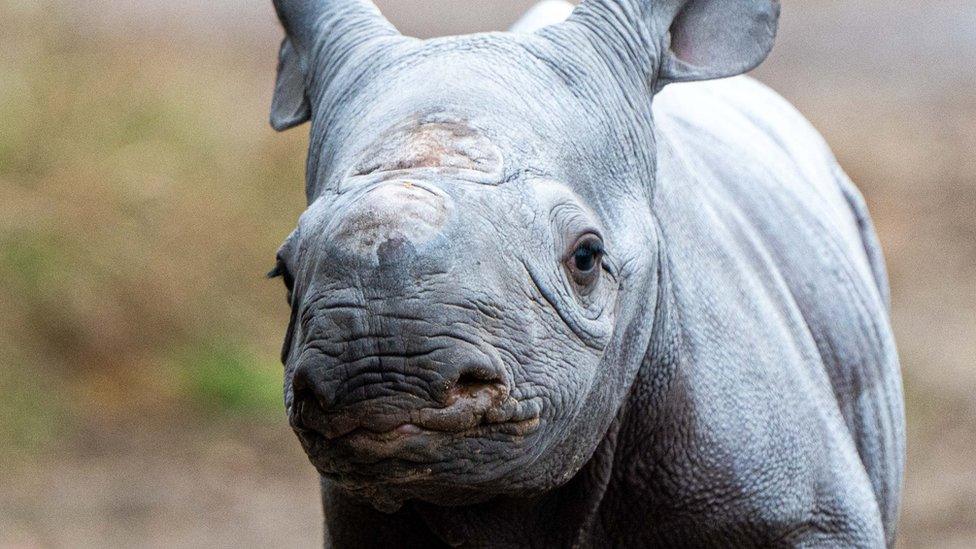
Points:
(448, 392)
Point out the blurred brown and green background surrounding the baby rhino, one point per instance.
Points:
(143, 196)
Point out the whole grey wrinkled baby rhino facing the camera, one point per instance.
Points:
(539, 299)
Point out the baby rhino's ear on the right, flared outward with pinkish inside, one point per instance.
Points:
(717, 38)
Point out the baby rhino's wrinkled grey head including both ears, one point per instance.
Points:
(474, 283)
